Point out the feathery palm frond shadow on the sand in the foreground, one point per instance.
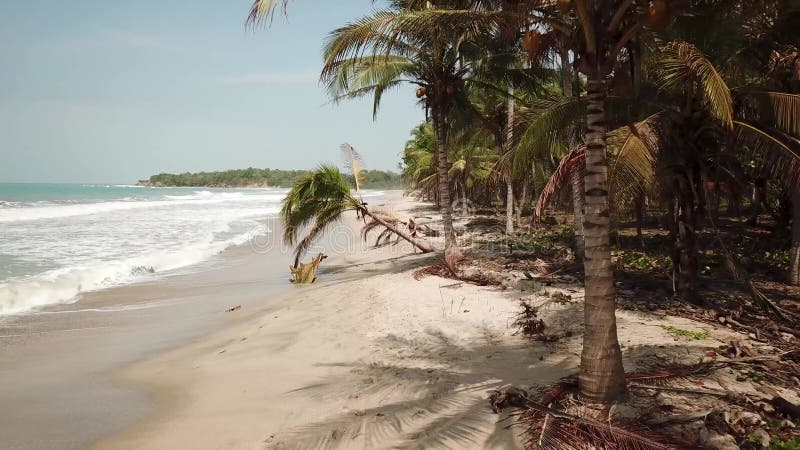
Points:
(433, 394)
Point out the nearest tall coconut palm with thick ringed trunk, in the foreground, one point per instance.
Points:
(596, 39)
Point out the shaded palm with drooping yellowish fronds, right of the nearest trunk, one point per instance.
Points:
(712, 134)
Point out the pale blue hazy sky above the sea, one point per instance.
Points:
(112, 92)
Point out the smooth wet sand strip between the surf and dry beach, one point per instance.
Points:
(59, 356)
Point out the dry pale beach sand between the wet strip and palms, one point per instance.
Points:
(368, 357)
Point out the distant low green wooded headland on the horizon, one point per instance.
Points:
(252, 177)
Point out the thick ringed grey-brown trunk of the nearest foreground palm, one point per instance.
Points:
(602, 378)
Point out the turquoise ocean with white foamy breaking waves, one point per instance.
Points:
(59, 240)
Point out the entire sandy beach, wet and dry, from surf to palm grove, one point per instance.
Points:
(367, 357)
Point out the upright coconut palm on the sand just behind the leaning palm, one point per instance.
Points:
(411, 42)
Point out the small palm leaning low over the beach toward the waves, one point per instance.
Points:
(317, 202)
